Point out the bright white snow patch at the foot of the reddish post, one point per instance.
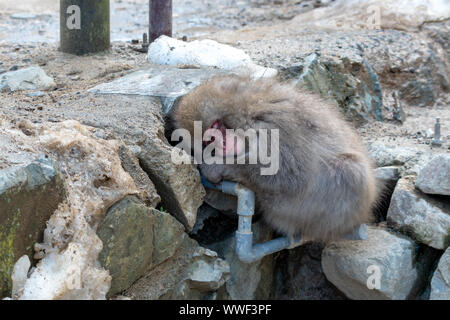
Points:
(205, 53)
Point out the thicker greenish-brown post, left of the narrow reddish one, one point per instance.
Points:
(84, 26)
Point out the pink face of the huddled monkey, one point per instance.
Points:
(225, 141)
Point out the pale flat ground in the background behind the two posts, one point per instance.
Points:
(129, 18)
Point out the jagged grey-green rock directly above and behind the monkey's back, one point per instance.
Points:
(360, 96)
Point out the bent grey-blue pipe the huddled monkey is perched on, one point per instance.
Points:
(245, 249)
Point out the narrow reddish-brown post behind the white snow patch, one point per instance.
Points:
(160, 17)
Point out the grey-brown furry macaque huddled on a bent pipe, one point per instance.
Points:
(324, 185)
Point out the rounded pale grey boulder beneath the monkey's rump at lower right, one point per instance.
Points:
(354, 265)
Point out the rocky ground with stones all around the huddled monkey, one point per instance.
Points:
(391, 83)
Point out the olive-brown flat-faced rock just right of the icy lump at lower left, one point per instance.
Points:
(127, 235)
